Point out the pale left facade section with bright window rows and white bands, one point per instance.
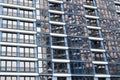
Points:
(18, 48)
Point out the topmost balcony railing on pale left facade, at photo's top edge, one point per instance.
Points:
(29, 4)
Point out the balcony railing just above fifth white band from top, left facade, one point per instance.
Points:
(17, 54)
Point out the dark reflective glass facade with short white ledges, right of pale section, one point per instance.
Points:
(78, 39)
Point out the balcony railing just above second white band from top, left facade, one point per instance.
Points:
(15, 14)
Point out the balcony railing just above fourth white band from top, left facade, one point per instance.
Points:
(17, 40)
